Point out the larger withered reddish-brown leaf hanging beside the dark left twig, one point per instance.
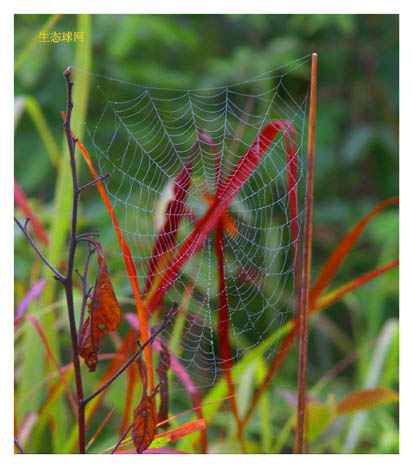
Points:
(104, 315)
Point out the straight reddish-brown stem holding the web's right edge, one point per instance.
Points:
(304, 310)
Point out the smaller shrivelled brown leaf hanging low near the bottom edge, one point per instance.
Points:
(144, 419)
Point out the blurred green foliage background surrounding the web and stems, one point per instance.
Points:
(356, 159)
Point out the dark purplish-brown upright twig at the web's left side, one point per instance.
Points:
(68, 281)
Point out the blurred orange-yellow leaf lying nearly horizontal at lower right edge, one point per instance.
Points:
(365, 399)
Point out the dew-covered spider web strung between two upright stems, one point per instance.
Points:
(150, 141)
